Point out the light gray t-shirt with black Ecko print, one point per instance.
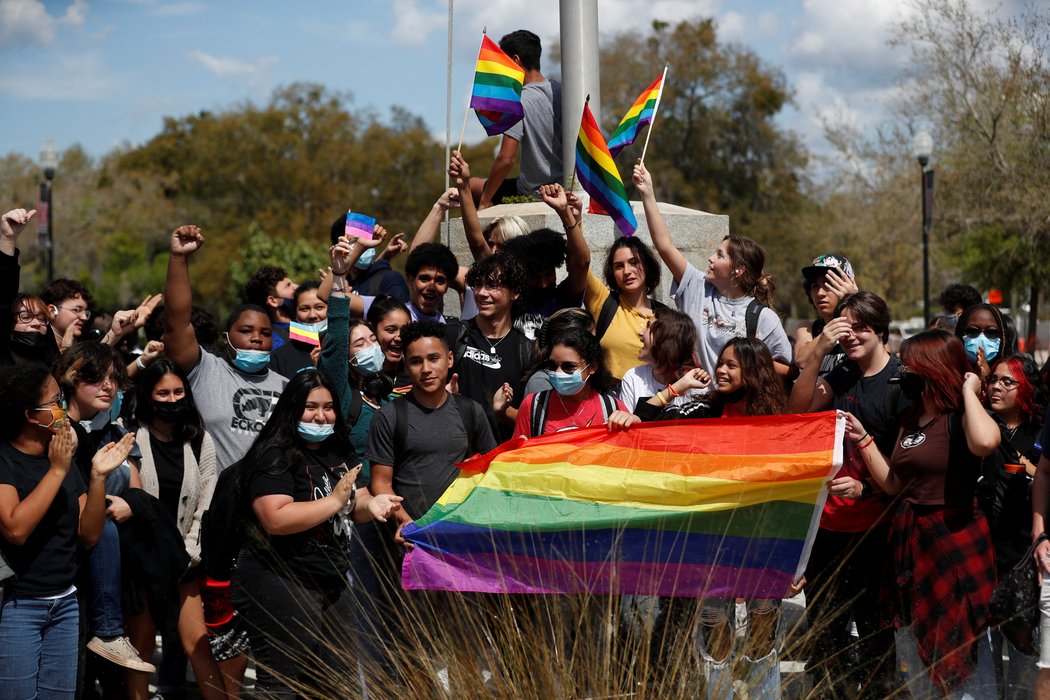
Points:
(234, 405)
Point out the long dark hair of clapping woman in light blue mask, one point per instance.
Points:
(281, 433)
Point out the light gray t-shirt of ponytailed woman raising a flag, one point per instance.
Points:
(719, 320)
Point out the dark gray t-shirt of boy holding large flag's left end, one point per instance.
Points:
(435, 442)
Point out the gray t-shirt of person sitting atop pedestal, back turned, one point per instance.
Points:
(539, 136)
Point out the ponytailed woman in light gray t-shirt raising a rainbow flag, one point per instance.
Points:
(733, 300)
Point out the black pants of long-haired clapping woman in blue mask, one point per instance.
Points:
(304, 639)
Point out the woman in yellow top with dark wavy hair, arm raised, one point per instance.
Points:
(620, 305)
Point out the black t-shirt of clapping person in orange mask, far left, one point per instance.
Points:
(47, 564)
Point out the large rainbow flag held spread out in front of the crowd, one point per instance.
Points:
(724, 508)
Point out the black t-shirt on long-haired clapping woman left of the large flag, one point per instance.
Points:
(318, 557)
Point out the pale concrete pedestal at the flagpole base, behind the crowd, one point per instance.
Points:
(697, 235)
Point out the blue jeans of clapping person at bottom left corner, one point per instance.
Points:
(38, 648)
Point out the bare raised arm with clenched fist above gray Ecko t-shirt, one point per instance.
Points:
(180, 340)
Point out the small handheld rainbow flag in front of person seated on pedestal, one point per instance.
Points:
(497, 95)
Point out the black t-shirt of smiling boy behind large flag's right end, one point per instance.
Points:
(873, 400)
